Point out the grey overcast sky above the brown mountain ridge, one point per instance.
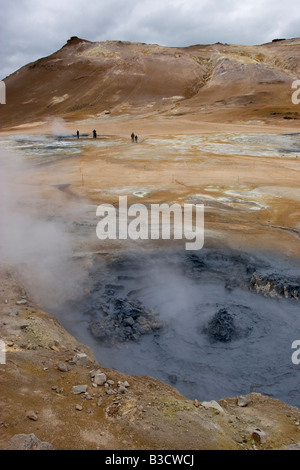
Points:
(30, 29)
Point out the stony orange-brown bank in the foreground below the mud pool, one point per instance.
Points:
(37, 397)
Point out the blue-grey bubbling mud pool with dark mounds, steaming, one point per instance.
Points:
(212, 323)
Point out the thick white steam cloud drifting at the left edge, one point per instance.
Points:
(32, 240)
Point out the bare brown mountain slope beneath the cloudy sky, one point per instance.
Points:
(219, 81)
